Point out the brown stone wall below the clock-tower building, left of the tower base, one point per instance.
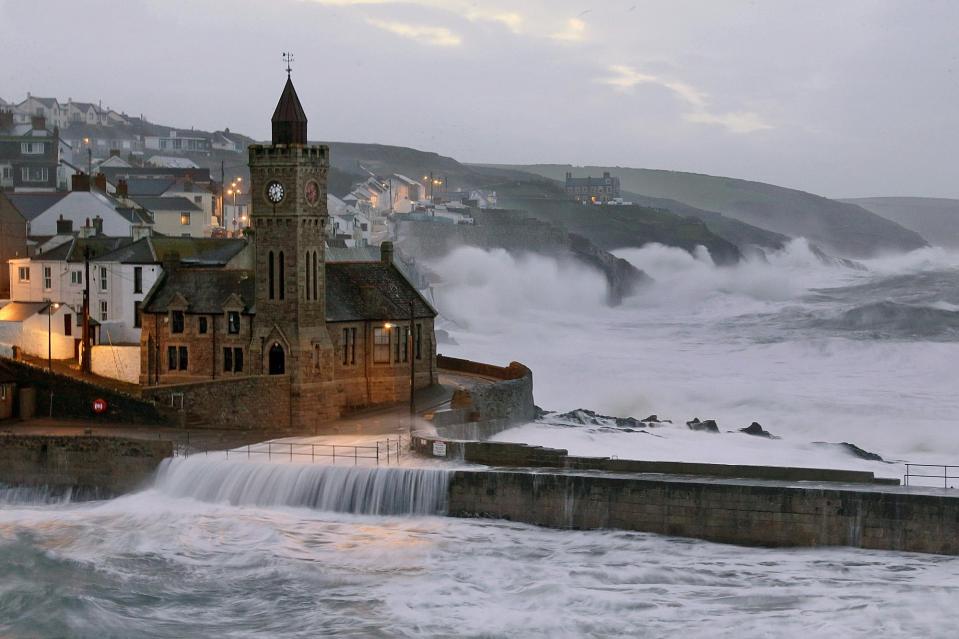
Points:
(243, 403)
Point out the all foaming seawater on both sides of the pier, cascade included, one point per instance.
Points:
(819, 353)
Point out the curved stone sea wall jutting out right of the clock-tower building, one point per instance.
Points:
(509, 399)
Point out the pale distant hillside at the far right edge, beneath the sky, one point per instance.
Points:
(936, 219)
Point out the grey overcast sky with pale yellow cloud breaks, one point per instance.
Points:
(842, 98)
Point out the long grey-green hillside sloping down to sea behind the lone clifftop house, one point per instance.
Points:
(840, 227)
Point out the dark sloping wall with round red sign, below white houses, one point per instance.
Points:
(72, 398)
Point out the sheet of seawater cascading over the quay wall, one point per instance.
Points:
(350, 489)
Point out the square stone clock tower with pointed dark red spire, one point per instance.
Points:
(289, 222)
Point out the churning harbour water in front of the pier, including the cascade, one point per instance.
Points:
(183, 560)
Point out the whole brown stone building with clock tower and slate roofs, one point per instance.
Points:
(345, 334)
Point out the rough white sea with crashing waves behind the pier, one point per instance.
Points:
(817, 352)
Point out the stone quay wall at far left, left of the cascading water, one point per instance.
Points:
(87, 467)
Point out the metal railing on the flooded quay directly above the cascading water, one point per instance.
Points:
(380, 451)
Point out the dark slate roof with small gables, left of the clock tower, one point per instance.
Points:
(204, 289)
